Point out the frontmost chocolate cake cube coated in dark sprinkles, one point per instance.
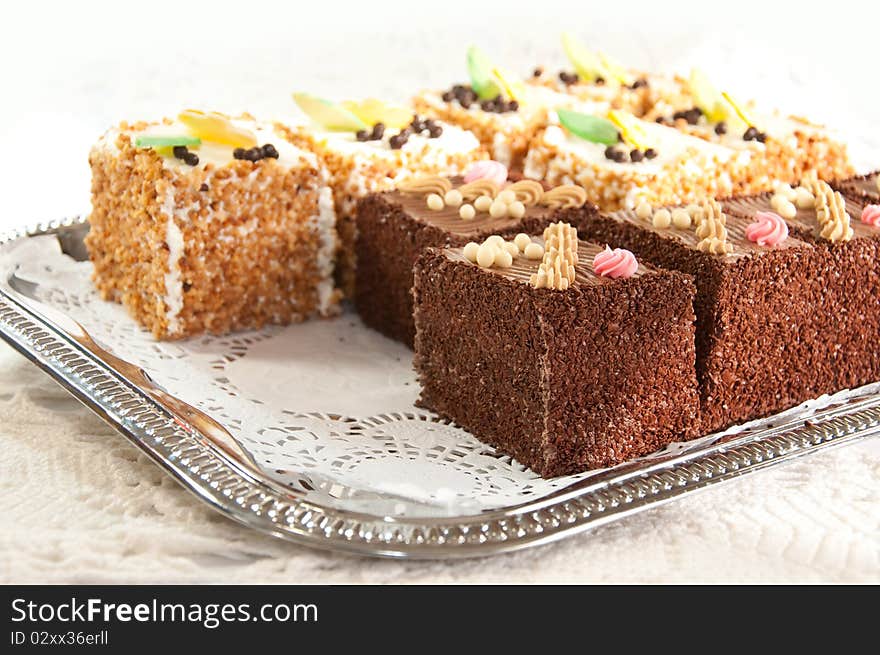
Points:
(561, 380)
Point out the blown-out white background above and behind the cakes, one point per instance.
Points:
(71, 69)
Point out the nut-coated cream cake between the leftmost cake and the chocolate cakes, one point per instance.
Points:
(368, 146)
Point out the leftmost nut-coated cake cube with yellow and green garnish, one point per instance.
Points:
(207, 223)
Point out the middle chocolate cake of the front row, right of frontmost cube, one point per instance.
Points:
(761, 344)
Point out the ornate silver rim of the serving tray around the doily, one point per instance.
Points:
(198, 452)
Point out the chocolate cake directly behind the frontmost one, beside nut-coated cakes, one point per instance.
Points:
(394, 227)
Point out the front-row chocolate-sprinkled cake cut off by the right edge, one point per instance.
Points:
(848, 299)
